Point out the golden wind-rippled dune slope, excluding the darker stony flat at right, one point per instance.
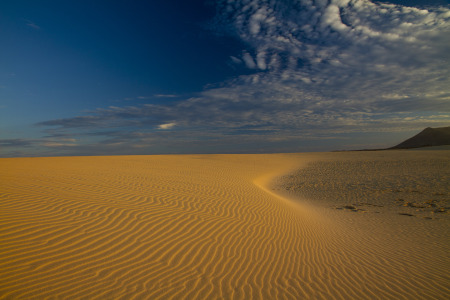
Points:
(182, 227)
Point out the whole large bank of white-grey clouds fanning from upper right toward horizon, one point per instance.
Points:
(320, 68)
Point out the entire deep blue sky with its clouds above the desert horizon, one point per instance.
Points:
(227, 76)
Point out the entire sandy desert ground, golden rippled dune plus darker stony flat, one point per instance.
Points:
(275, 226)
